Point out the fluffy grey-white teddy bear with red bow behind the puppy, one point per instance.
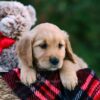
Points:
(15, 19)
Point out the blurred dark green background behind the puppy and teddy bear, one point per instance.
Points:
(80, 18)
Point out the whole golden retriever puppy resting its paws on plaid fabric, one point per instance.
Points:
(48, 48)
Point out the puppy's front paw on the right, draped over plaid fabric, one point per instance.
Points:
(69, 81)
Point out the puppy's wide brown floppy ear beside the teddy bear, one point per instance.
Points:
(24, 50)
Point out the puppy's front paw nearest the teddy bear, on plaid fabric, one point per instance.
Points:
(28, 76)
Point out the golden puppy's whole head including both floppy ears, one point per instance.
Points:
(48, 45)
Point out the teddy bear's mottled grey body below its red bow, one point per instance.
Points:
(8, 59)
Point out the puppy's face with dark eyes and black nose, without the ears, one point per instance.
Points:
(49, 49)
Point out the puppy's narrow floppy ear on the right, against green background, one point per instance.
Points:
(69, 52)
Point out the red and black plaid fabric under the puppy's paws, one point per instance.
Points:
(48, 86)
